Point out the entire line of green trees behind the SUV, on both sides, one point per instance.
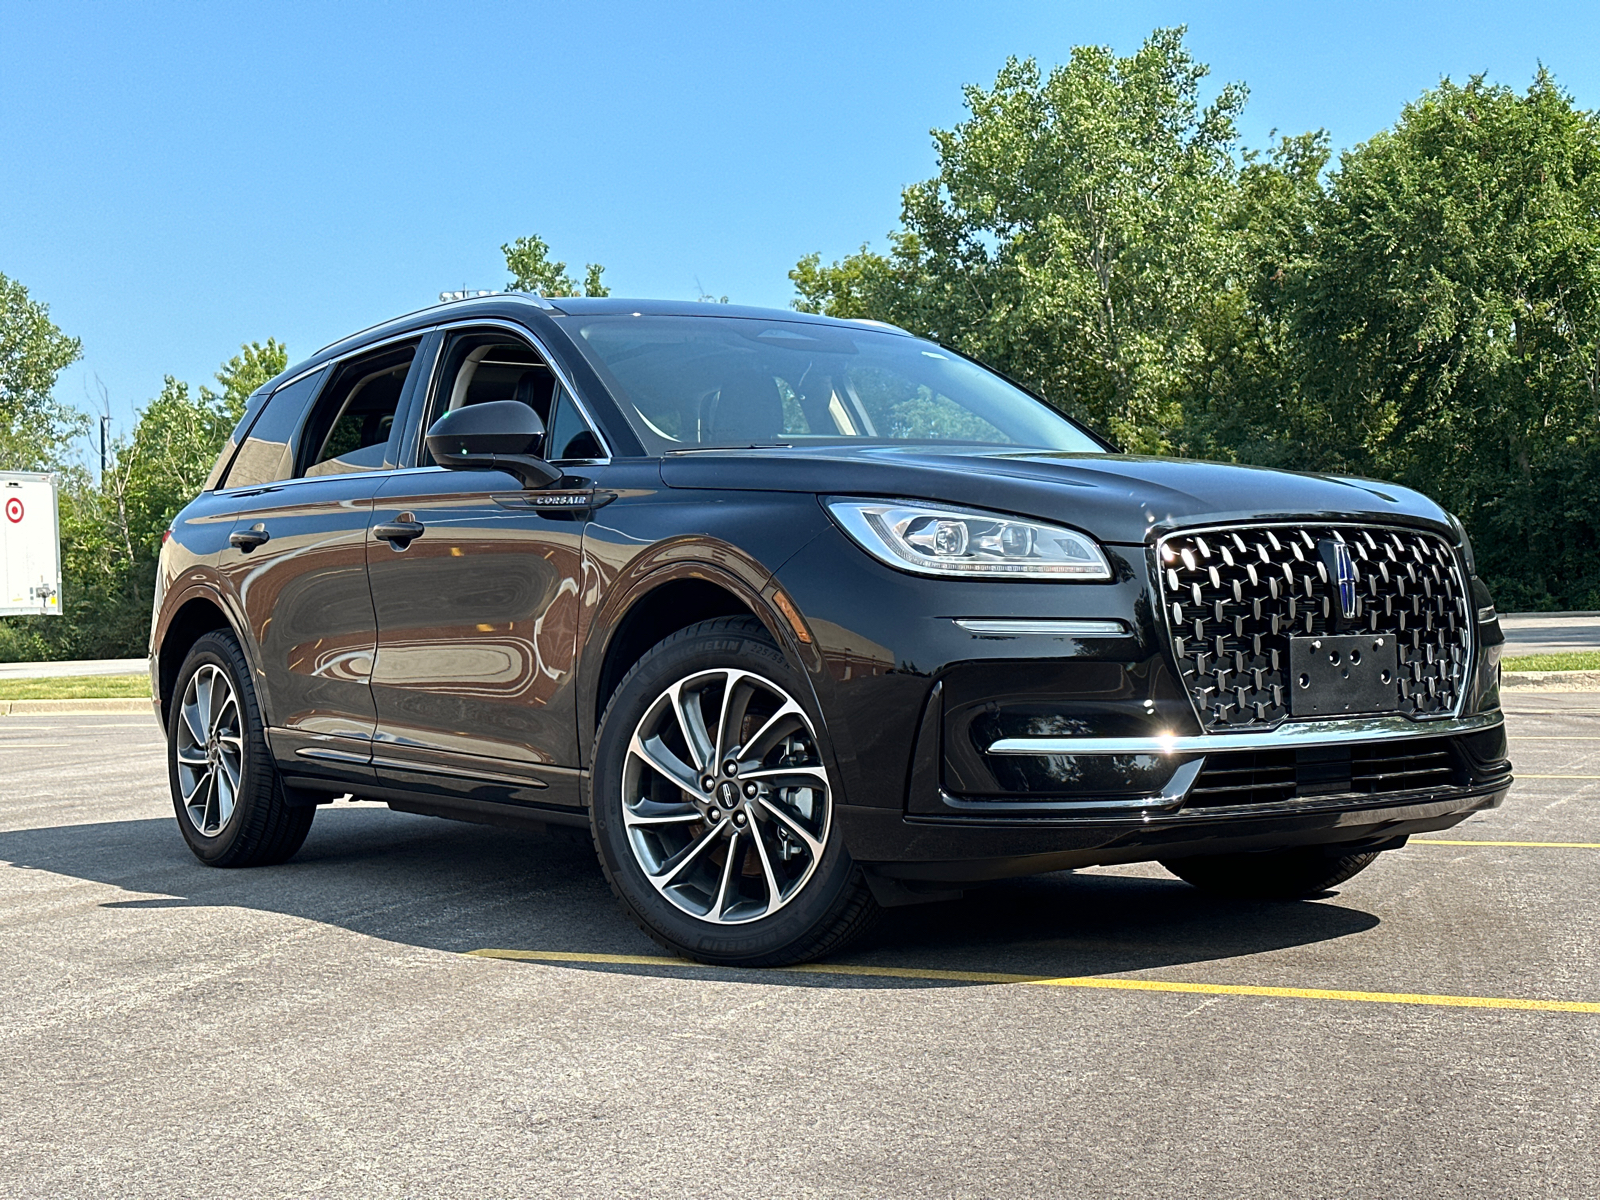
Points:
(1425, 310)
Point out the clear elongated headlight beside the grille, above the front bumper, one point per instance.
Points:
(935, 540)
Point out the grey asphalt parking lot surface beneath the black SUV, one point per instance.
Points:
(326, 1030)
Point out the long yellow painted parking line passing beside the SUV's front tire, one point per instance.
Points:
(935, 975)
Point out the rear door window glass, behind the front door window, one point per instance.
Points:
(353, 422)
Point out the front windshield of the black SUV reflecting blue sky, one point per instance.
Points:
(735, 382)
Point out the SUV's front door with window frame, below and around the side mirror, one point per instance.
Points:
(479, 599)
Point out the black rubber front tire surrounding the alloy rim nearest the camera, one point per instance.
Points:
(820, 902)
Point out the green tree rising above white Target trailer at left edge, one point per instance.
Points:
(36, 430)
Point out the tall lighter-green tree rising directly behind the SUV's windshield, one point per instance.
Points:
(1078, 234)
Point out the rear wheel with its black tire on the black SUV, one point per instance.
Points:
(233, 809)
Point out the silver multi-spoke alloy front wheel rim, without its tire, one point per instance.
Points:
(726, 798)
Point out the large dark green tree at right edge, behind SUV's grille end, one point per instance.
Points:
(1447, 313)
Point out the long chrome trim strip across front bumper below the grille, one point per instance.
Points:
(1286, 737)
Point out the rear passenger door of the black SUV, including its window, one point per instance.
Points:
(303, 487)
